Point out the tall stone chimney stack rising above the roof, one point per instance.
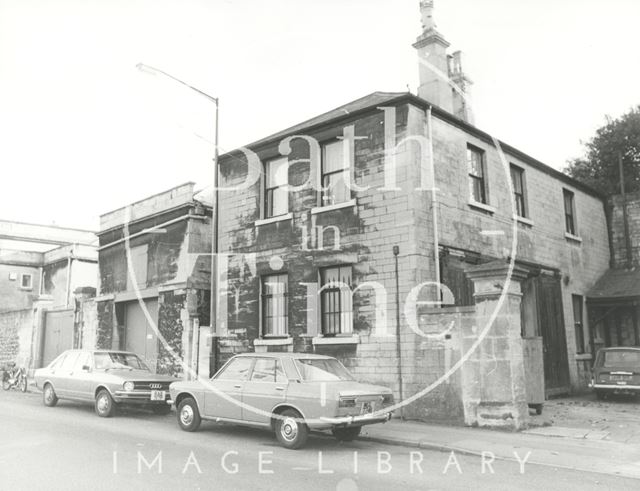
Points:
(442, 78)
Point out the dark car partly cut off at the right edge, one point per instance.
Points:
(616, 371)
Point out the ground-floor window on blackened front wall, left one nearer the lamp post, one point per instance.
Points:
(275, 305)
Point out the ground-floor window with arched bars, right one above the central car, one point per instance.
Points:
(336, 307)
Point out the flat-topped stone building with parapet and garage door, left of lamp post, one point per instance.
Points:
(155, 279)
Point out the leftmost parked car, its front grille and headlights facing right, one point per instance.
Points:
(107, 378)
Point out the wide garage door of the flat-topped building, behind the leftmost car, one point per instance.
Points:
(140, 335)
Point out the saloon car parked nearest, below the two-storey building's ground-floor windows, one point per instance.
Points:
(288, 393)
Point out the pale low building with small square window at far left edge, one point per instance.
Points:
(45, 272)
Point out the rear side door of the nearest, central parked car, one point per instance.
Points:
(266, 389)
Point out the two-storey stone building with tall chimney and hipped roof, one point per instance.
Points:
(392, 233)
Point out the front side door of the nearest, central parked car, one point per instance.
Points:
(230, 382)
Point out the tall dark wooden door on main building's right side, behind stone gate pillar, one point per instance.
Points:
(551, 322)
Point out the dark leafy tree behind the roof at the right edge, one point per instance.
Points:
(598, 168)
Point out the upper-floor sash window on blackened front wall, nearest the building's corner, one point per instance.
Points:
(335, 174)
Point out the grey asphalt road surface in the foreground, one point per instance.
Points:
(68, 447)
